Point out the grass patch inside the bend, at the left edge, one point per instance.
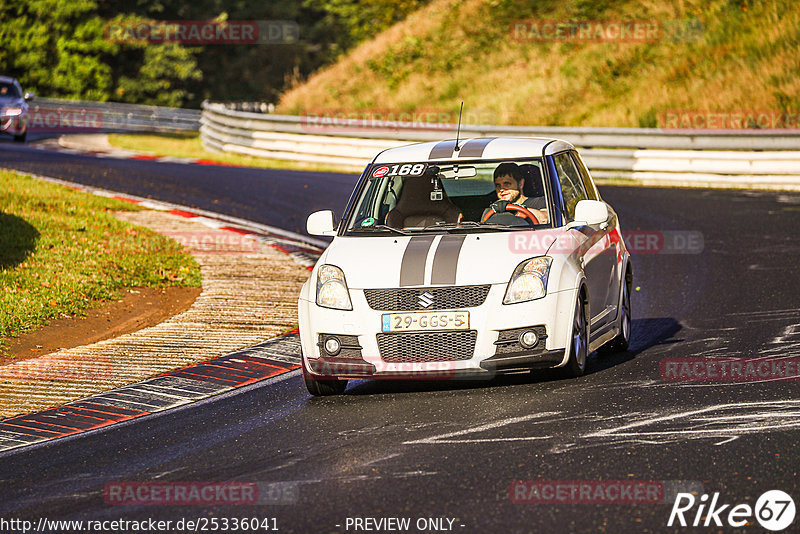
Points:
(62, 251)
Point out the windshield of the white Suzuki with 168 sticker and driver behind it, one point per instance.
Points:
(451, 196)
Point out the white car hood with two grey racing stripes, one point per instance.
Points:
(435, 259)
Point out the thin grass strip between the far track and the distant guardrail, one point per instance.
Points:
(188, 145)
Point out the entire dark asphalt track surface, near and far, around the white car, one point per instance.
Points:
(452, 450)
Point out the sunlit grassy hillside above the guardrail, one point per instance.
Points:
(709, 55)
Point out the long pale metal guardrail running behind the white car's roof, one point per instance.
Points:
(746, 158)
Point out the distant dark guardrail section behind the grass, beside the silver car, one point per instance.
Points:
(55, 114)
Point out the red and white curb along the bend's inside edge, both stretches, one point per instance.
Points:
(266, 360)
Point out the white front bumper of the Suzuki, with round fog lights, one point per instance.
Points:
(493, 350)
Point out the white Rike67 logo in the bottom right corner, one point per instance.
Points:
(774, 510)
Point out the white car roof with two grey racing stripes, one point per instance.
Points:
(486, 148)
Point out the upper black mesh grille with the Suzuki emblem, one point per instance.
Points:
(444, 298)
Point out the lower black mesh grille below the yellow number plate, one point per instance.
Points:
(427, 346)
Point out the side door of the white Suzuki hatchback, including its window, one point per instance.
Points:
(598, 254)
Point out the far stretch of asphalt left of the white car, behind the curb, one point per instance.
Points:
(283, 200)
